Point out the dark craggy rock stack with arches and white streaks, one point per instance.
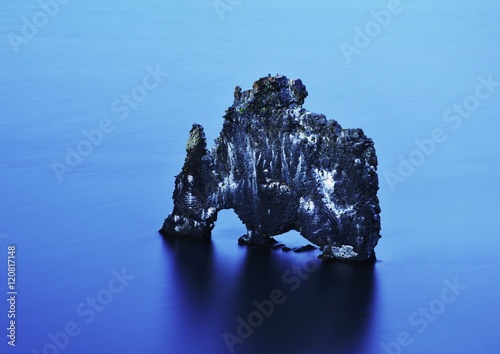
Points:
(281, 167)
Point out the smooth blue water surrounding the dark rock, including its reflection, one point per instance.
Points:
(434, 289)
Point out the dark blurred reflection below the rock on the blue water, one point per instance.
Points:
(322, 308)
